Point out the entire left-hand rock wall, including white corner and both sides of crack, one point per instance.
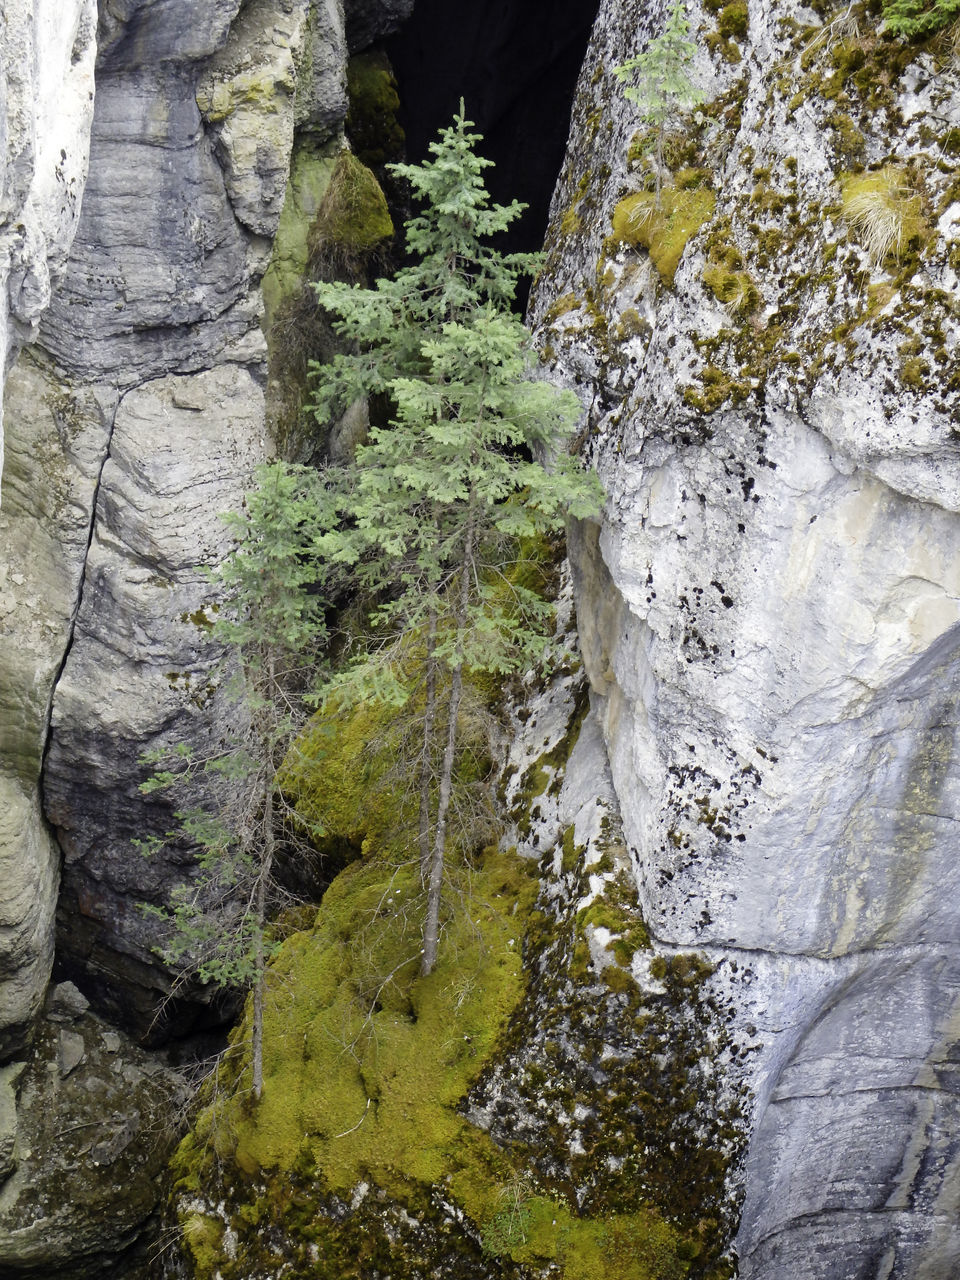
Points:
(140, 419)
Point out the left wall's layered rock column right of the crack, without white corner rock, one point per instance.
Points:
(191, 150)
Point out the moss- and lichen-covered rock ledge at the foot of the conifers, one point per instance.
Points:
(377, 1150)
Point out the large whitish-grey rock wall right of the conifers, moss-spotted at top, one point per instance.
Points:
(771, 611)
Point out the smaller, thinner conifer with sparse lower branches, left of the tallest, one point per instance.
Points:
(272, 627)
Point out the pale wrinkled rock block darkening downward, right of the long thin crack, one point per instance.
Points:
(139, 673)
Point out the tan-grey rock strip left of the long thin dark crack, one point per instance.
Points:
(57, 440)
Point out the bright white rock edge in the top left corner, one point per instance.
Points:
(47, 107)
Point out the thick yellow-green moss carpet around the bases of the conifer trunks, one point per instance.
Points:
(364, 1073)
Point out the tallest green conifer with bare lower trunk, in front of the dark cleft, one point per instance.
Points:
(441, 495)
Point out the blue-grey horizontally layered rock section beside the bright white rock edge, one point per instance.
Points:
(158, 277)
